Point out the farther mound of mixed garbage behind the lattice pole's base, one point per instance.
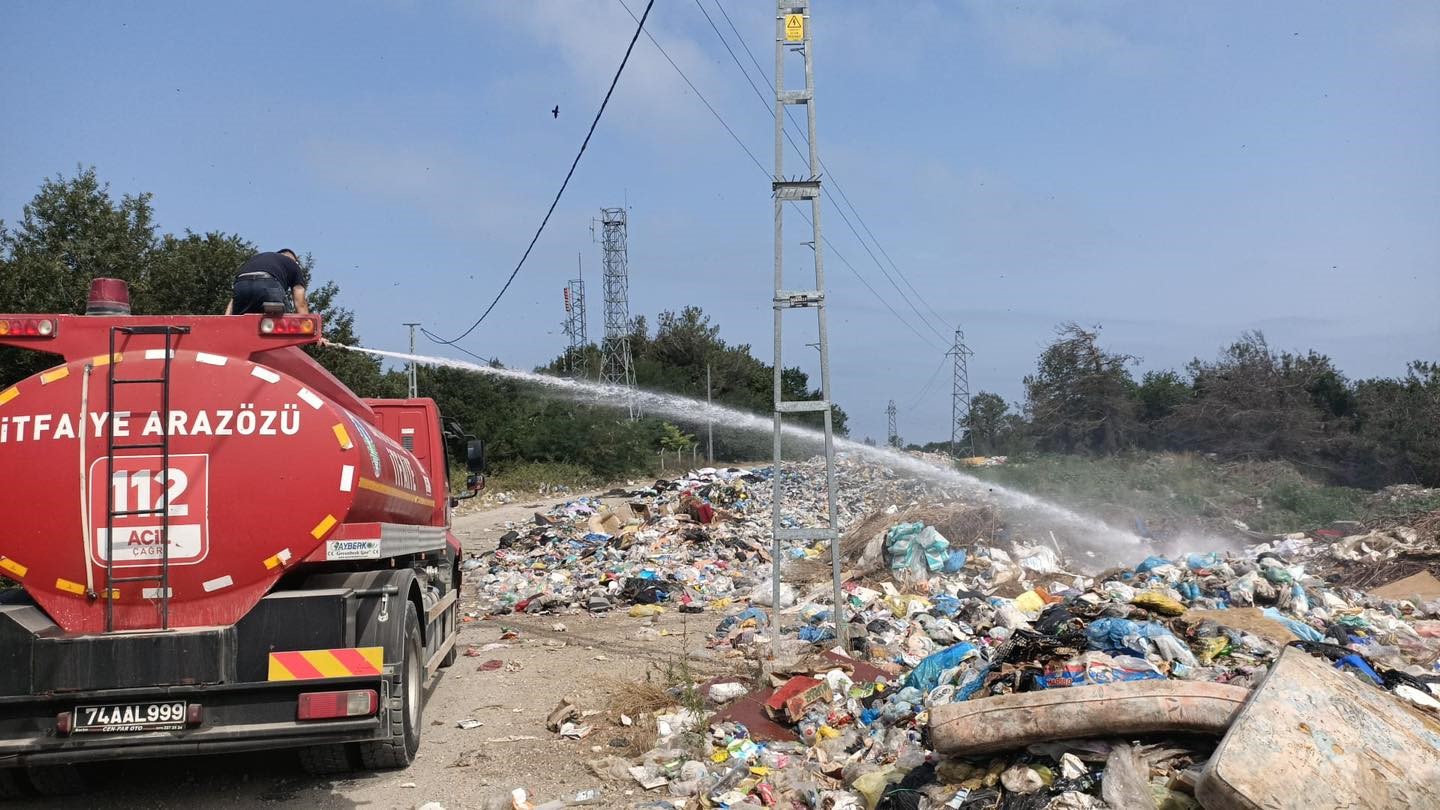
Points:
(690, 544)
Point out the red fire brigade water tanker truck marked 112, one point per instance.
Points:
(220, 547)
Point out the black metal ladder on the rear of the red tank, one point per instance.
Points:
(163, 446)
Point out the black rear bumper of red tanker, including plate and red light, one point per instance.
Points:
(117, 724)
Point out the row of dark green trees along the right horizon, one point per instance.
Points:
(1252, 403)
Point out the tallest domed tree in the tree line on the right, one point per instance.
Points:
(1079, 399)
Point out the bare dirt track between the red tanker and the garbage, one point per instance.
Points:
(456, 767)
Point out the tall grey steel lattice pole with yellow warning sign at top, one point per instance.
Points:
(793, 37)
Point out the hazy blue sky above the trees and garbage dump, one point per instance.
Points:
(1173, 172)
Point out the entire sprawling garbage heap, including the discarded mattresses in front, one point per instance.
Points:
(986, 672)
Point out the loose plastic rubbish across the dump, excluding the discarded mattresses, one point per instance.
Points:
(947, 603)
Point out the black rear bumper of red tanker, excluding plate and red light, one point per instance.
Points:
(240, 717)
